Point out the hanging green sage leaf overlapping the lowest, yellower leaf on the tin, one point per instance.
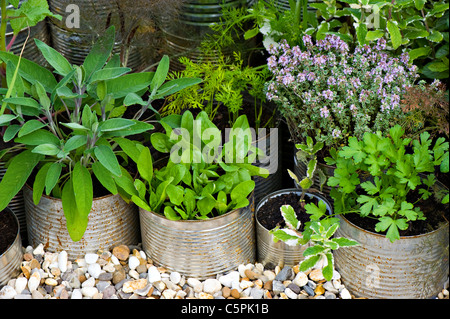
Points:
(82, 189)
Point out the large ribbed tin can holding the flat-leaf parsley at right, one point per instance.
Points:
(413, 267)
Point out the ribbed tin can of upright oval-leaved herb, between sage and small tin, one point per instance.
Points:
(200, 248)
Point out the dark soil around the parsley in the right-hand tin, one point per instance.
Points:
(436, 215)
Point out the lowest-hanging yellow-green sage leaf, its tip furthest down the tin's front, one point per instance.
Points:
(76, 221)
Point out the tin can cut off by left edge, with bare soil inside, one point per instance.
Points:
(11, 258)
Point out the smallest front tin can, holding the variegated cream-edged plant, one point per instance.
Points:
(279, 254)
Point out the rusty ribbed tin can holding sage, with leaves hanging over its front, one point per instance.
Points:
(112, 222)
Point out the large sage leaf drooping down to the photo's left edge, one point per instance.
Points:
(16, 175)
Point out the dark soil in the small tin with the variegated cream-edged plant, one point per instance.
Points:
(269, 214)
